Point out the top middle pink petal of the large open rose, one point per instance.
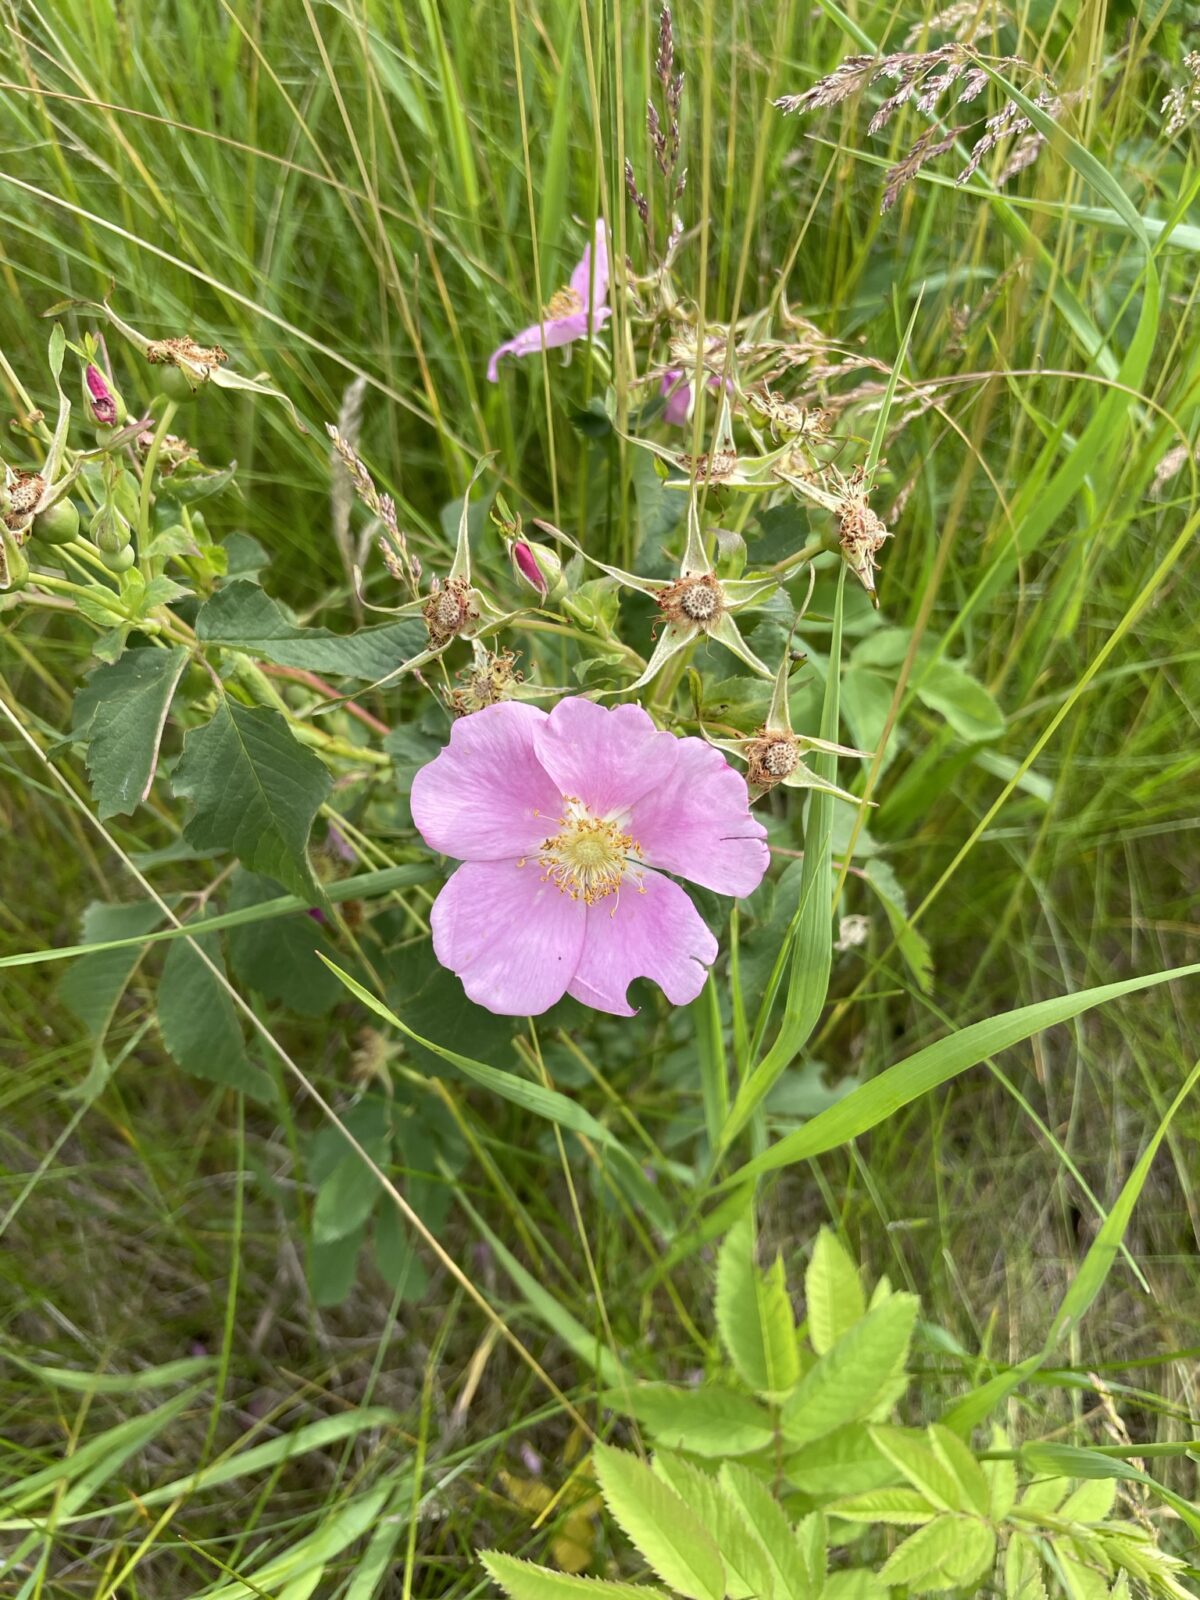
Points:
(604, 756)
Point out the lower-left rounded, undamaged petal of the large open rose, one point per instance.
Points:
(513, 938)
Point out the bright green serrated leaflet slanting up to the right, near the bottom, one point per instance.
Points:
(850, 1380)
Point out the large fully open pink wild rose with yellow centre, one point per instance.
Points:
(567, 826)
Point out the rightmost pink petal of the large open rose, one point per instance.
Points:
(698, 825)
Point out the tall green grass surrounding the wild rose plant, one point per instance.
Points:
(386, 191)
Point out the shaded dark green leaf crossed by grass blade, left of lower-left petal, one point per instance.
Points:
(278, 958)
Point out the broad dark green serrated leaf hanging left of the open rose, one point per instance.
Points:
(255, 793)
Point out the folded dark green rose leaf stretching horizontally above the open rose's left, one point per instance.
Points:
(242, 617)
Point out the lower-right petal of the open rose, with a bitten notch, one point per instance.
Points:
(652, 934)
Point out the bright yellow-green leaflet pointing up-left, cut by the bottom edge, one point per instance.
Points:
(666, 1534)
